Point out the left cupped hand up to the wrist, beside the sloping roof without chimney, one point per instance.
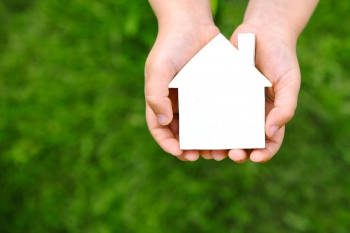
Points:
(177, 42)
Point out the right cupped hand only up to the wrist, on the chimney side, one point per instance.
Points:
(276, 59)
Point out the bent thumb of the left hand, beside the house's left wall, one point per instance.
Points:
(157, 79)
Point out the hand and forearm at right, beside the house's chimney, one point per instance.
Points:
(277, 25)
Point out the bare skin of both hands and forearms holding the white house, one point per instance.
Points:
(186, 26)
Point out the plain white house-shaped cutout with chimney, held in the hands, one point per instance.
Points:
(222, 97)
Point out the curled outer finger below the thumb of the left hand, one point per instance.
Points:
(162, 134)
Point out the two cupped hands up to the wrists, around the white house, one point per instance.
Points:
(178, 42)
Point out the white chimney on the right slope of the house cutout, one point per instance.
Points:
(246, 47)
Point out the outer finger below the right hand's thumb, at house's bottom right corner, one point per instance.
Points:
(272, 146)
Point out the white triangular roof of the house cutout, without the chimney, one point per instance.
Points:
(219, 64)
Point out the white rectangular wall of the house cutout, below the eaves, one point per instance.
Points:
(222, 118)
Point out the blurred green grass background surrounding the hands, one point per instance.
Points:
(76, 155)
